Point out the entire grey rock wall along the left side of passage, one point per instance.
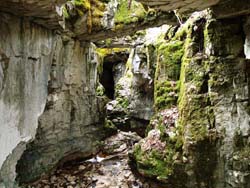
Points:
(39, 69)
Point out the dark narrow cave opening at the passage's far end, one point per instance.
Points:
(114, 66)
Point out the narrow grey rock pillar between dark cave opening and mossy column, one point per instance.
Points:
(142, 83)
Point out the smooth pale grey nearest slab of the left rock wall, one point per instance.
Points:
(26, 55)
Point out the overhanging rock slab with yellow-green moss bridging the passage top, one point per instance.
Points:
(88, 20)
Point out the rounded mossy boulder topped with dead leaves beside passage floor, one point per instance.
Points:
(160, 153)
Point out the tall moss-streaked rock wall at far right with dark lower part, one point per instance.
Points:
(213, 106)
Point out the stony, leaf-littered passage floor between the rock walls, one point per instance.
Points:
(109, 169)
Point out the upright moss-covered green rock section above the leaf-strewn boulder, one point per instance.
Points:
(168, 73)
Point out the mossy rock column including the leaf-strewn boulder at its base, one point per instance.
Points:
(159, 154)
